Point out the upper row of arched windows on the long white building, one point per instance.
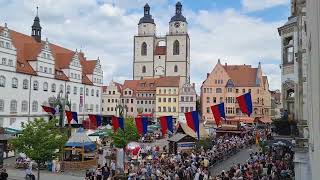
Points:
(25, 85)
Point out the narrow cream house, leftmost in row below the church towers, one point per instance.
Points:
(111, 99)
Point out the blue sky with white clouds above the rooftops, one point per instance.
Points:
(234, 31)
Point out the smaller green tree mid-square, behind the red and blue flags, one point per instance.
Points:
(122, 138)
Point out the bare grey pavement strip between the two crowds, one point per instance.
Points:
(241, 157)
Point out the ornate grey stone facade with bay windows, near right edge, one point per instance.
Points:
(294, 72)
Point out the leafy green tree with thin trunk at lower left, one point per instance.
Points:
(40, 140)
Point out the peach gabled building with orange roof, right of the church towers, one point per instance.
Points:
(226, 82)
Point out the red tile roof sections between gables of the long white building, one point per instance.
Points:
(28, 49)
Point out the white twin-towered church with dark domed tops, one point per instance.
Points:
(157, 56)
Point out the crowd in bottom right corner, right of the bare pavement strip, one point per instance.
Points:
(274, 164)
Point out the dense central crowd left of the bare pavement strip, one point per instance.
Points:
(194, 165)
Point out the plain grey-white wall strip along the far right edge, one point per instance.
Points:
(313, 47)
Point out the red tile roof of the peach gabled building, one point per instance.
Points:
(242, 75)
